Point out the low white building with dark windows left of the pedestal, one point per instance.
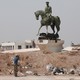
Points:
(17, 45)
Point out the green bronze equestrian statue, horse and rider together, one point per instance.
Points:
(48, 20)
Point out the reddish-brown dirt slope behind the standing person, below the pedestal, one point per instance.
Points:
(36, 61)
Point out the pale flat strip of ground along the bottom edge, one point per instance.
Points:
(40, 78)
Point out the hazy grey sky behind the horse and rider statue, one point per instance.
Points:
(18, 22)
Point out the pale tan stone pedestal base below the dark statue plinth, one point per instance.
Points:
(51, 45)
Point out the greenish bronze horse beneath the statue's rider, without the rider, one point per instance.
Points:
(53, 21)
